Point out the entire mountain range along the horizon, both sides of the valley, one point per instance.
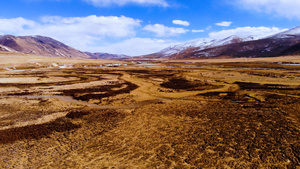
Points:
(284, 43)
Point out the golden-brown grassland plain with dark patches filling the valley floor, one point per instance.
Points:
(216, 113)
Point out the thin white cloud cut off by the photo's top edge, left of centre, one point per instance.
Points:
(103, 3)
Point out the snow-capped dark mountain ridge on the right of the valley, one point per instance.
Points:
(284, 43)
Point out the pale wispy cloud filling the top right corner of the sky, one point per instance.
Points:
(284, 8)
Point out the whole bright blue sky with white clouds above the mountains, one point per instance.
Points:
(136, 27)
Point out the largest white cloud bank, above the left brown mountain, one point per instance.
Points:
(78, 32)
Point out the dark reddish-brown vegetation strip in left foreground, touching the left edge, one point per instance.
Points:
(36, 131)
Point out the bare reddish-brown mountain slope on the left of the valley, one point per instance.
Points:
(40, 45)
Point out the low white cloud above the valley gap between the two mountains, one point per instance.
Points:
(137, 46)
